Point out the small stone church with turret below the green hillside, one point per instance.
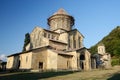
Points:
(101, 59)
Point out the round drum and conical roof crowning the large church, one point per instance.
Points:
(61, 20)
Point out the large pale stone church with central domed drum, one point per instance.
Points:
(59, 48)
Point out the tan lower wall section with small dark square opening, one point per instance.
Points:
(39, 59)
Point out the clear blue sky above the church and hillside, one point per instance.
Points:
(93, 18)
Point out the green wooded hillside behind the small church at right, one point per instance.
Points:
(111, 41)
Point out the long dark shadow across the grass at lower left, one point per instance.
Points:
(32, 75)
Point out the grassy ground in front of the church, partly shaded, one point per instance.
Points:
(111, 74)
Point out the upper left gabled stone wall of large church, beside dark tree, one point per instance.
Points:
(37, 38)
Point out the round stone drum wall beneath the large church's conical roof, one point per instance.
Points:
(61, 21)
